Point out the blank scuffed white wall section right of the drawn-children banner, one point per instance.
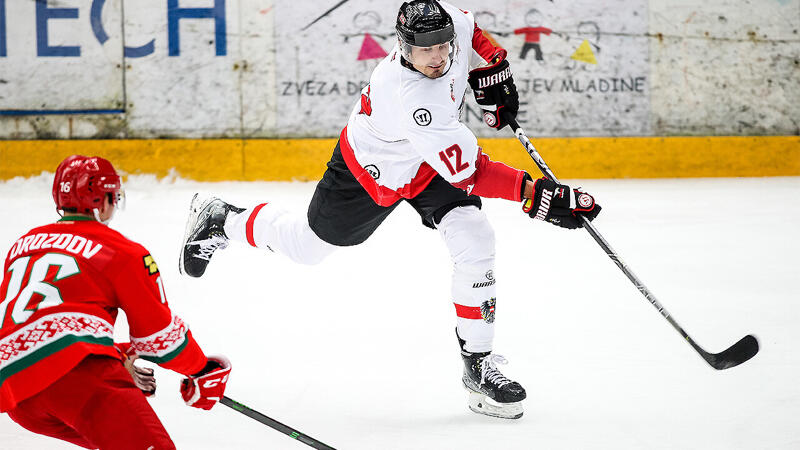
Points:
(725, 67)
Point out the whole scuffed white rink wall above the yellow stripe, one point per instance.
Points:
(267, 68)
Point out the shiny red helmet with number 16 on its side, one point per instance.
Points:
(81, 183)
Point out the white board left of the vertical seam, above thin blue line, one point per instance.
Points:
(58, 62)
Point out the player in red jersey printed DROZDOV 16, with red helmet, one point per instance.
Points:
(61, 374)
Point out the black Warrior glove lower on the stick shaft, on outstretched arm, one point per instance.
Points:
(553, 203)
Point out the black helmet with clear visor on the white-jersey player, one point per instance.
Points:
(424, 23)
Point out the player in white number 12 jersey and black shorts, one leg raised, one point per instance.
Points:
(404, 141)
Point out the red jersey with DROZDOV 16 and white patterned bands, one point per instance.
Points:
(62, 286)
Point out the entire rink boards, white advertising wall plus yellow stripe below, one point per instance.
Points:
(258, 90)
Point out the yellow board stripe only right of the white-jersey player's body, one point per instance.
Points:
(658, 157)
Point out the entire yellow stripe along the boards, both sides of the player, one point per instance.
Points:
(305, 159)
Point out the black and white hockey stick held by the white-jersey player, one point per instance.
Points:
(746, 348)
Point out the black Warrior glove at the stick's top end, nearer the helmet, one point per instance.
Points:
(495, 91)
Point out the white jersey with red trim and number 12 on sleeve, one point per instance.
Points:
(405, 129)
